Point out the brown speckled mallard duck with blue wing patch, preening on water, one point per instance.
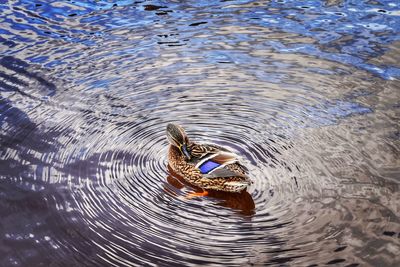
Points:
(207, 166)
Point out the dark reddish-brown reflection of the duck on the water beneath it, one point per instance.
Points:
(242, 202)
